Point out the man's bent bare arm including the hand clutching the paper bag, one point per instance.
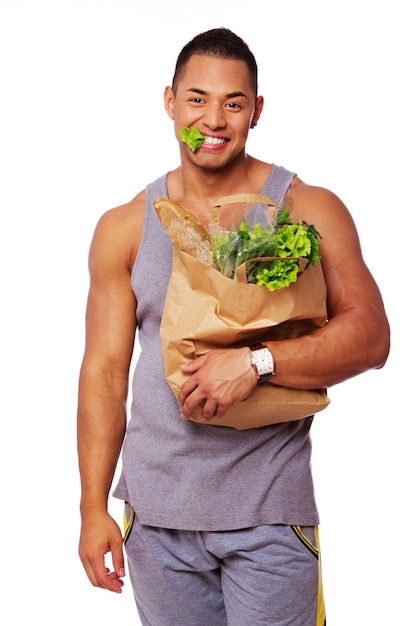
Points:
(355, 339)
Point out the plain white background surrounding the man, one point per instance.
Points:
(83, 129)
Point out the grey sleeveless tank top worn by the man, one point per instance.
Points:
(187, 476)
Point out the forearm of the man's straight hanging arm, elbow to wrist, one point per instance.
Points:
(101, 424)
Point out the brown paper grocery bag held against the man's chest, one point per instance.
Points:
(205, 310)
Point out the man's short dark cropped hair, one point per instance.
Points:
(221, 43)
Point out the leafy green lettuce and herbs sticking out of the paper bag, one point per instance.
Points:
(284, 241)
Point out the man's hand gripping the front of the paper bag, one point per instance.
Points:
(217, 380)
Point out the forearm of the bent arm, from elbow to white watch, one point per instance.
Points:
(347, 346)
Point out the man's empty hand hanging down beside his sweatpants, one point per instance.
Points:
(99, 535)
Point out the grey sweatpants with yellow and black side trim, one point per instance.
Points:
(262, 576)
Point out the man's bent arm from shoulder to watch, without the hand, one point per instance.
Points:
(356, 337)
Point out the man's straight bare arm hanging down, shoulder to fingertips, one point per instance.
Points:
(103, 388)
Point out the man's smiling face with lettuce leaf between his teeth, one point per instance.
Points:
(216, 96)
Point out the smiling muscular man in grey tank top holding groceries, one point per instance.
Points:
(221, 524)
